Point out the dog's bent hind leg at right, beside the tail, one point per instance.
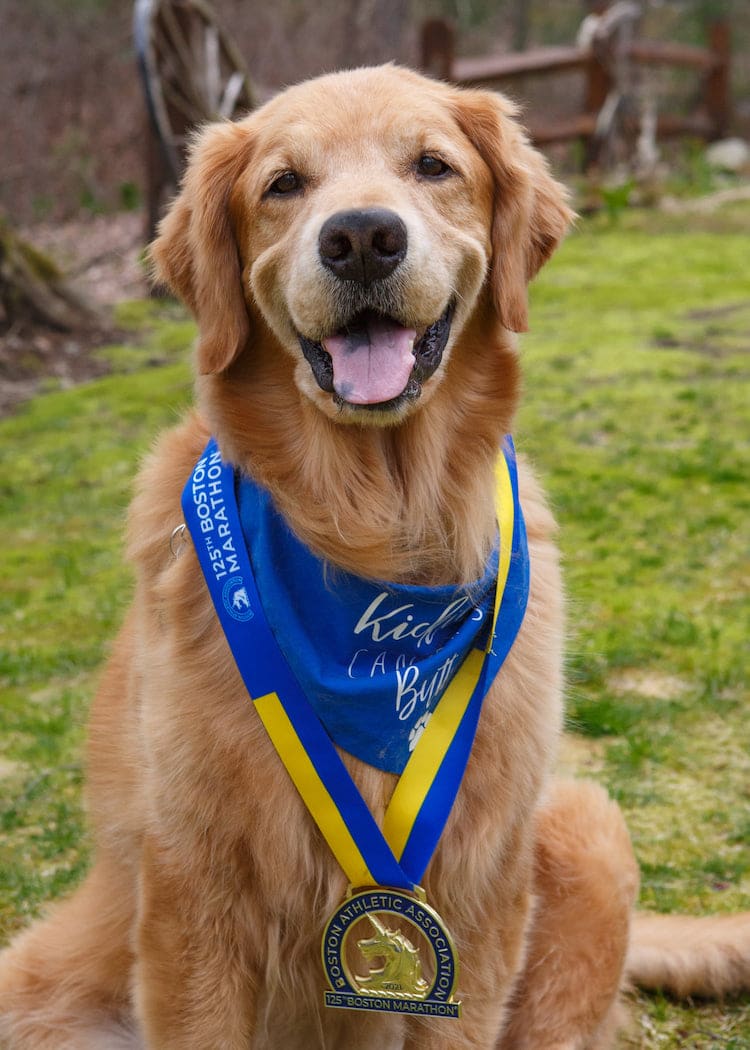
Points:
(586, 881)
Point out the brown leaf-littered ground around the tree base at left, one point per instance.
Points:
(102, 257)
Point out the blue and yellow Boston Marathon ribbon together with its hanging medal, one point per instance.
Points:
(398, 856)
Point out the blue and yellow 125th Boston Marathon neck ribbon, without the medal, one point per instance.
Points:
(398, 855)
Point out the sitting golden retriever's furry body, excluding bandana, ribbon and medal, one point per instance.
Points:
(357, 254)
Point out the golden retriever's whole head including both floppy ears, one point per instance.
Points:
(360, 223)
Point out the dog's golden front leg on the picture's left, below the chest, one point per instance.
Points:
(194, 985)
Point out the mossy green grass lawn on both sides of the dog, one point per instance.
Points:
(636, 414)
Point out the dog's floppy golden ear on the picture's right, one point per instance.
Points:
(531, 214)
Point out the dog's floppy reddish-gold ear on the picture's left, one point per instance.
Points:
(196, 254)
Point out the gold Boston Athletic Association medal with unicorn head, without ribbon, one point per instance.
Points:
(387, 951)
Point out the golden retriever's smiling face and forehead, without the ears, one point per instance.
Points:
(365, 237)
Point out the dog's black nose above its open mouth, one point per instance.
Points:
(363, 246)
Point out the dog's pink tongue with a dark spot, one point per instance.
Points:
(372, 364)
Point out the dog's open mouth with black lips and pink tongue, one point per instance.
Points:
(376, 362)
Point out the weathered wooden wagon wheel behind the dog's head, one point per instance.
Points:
(192, 72)
